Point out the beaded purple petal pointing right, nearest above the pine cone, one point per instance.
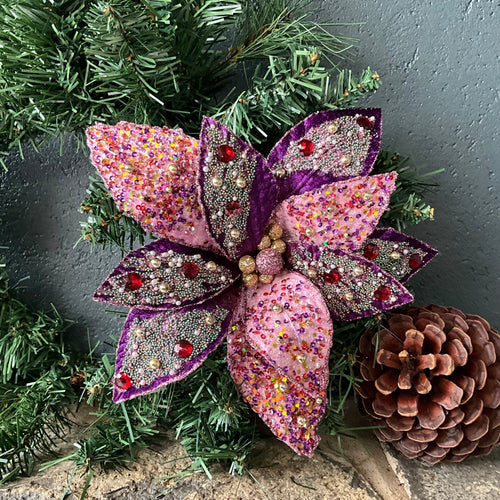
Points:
(352, 286)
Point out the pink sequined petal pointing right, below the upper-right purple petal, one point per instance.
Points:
(340, 215)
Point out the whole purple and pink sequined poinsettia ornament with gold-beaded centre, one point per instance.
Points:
(264, 252)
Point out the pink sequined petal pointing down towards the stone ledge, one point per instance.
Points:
(278, 356)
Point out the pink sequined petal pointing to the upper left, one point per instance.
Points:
(152, 174)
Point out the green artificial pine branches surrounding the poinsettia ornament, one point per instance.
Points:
(257, 66)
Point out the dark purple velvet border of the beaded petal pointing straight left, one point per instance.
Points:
(163, 245)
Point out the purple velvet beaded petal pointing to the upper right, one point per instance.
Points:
(345, 144)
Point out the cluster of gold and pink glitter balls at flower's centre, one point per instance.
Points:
(269, 260)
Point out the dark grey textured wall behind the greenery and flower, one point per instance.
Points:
(439, 63)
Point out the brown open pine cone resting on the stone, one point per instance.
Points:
(434, 386)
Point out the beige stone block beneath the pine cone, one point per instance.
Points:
(475, 478)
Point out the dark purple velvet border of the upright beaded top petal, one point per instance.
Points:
(262, 195)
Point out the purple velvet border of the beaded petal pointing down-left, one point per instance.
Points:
(228, 301)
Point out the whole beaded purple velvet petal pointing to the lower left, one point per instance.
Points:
(154, 349)
